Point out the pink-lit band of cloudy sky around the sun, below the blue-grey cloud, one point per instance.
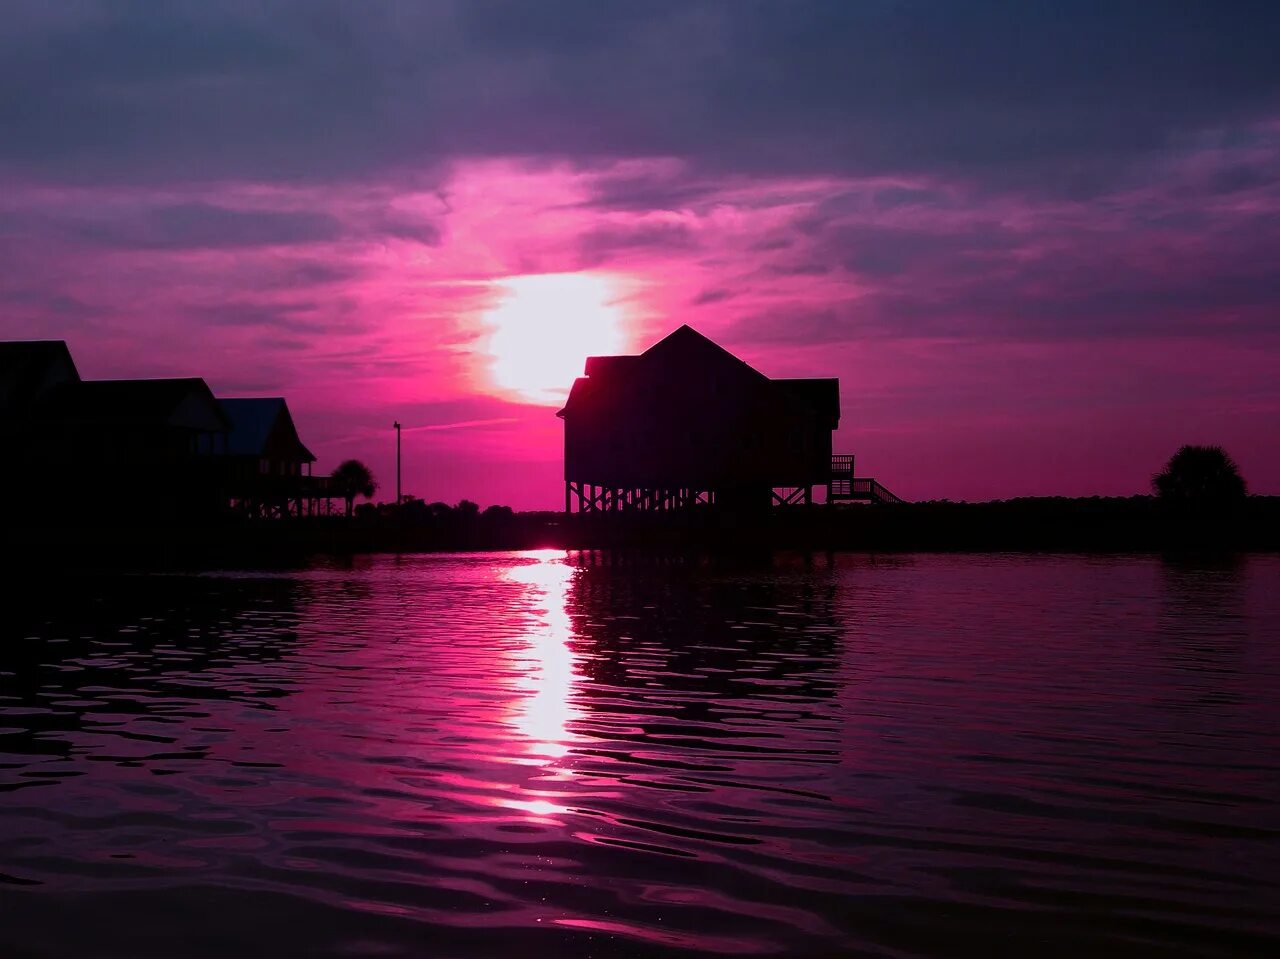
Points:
(989, 345)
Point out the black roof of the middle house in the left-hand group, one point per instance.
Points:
(181, 403)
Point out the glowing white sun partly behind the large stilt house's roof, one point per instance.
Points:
(546, 326)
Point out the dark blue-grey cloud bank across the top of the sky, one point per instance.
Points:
(1035, 97)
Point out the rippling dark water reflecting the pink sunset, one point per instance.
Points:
(465, 756)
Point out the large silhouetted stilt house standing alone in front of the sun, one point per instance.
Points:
(687, 423)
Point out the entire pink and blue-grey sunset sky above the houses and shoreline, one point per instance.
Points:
(1039, 243)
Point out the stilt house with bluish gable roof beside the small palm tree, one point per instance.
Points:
(267, 469)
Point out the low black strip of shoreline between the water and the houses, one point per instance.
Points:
(1100, 526)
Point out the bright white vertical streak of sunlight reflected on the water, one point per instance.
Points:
(550, 673)
